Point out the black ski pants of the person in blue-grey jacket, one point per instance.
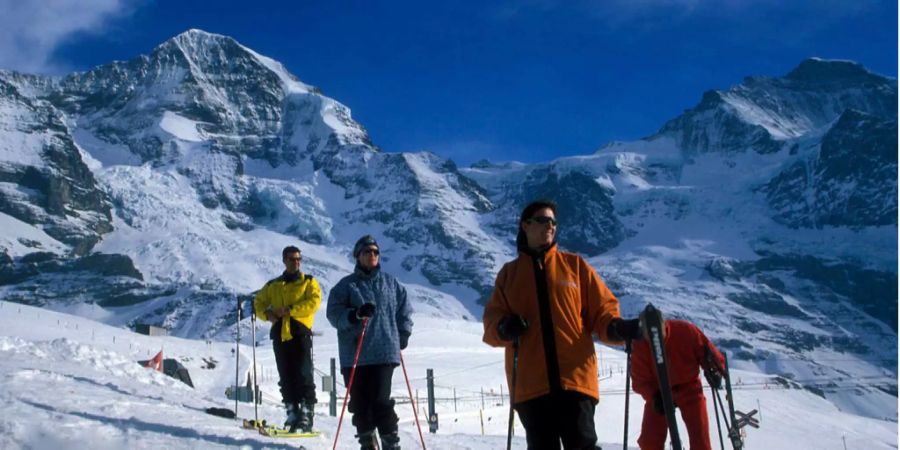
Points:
(370, 398)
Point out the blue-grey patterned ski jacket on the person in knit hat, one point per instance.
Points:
(392, 318)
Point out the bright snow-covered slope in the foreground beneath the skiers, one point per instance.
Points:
(74, 383)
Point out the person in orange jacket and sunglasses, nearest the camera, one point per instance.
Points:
(551, 303)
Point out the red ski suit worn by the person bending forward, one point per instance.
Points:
(687, 350)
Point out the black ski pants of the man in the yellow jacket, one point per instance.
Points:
(295, 367)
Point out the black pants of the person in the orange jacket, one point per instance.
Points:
(564, 415)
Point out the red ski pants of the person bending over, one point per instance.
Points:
(692, 404)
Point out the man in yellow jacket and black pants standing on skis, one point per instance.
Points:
(289, 302)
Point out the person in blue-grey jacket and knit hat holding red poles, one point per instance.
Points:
(369, 294)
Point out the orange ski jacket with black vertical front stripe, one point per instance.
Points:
(565, 302)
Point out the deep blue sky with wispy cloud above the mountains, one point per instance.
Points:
(528, 80)
